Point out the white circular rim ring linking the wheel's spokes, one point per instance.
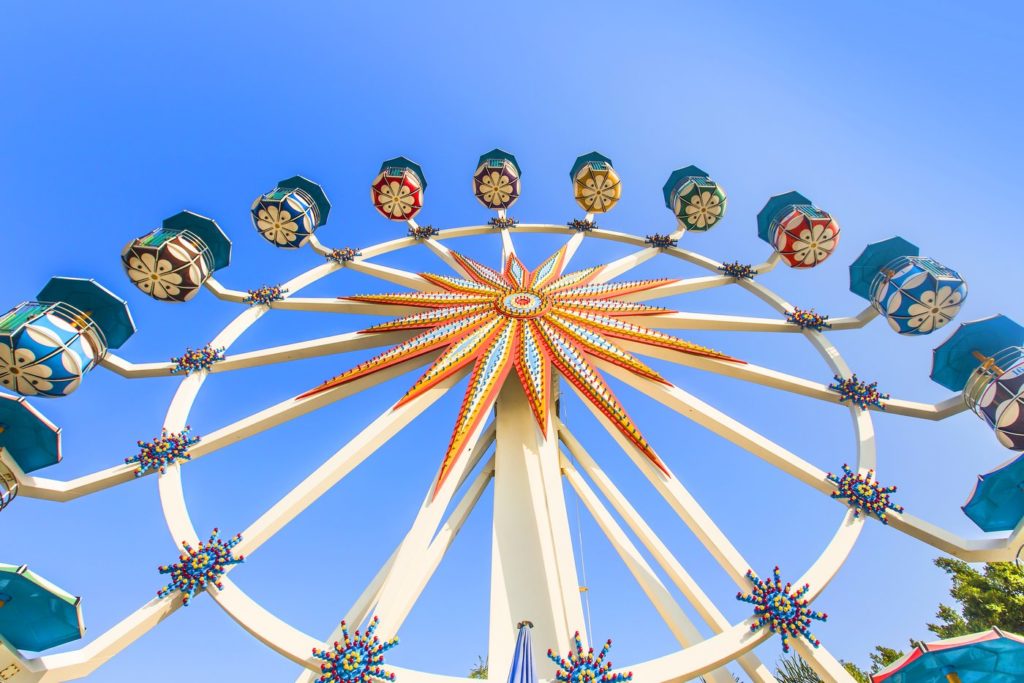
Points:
(694, 661)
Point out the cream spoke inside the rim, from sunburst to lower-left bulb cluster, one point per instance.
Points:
(339, 465)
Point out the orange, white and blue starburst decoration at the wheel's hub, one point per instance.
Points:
(530, 323)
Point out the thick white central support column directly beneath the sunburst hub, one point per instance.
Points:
(533, 571)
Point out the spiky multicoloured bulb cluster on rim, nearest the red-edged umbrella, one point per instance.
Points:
(782, 610)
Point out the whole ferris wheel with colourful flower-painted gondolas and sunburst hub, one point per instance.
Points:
(519, 335)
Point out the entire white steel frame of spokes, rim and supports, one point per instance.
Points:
(533, 471)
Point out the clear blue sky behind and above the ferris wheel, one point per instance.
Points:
(899, 118)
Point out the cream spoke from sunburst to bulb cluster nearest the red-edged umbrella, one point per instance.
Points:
(672, 490)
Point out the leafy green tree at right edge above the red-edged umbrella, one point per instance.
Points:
(994, 596)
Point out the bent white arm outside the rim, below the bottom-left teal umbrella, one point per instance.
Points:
(84, 661)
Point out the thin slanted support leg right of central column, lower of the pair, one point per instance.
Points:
(661, 599)
